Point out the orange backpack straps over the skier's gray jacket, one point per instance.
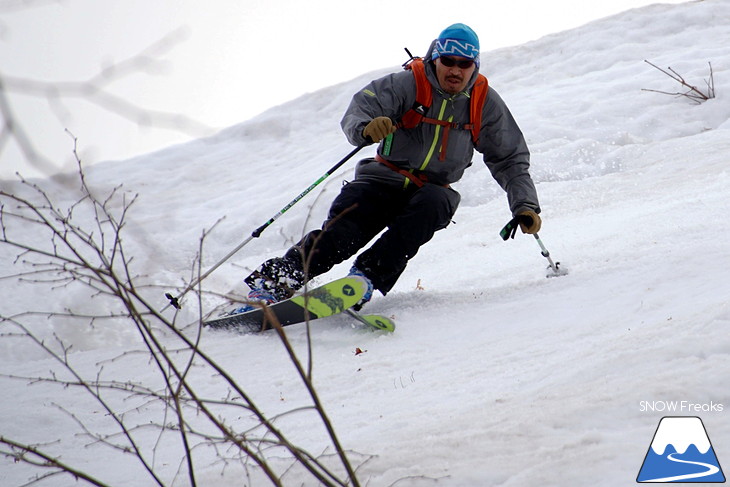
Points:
(424, 99)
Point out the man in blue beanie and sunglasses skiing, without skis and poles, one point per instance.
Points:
(405, 189)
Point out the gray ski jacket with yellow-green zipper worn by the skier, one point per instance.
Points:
(500, 140)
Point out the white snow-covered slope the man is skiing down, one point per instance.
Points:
(495, 376)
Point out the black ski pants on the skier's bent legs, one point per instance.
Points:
(364, 208)
